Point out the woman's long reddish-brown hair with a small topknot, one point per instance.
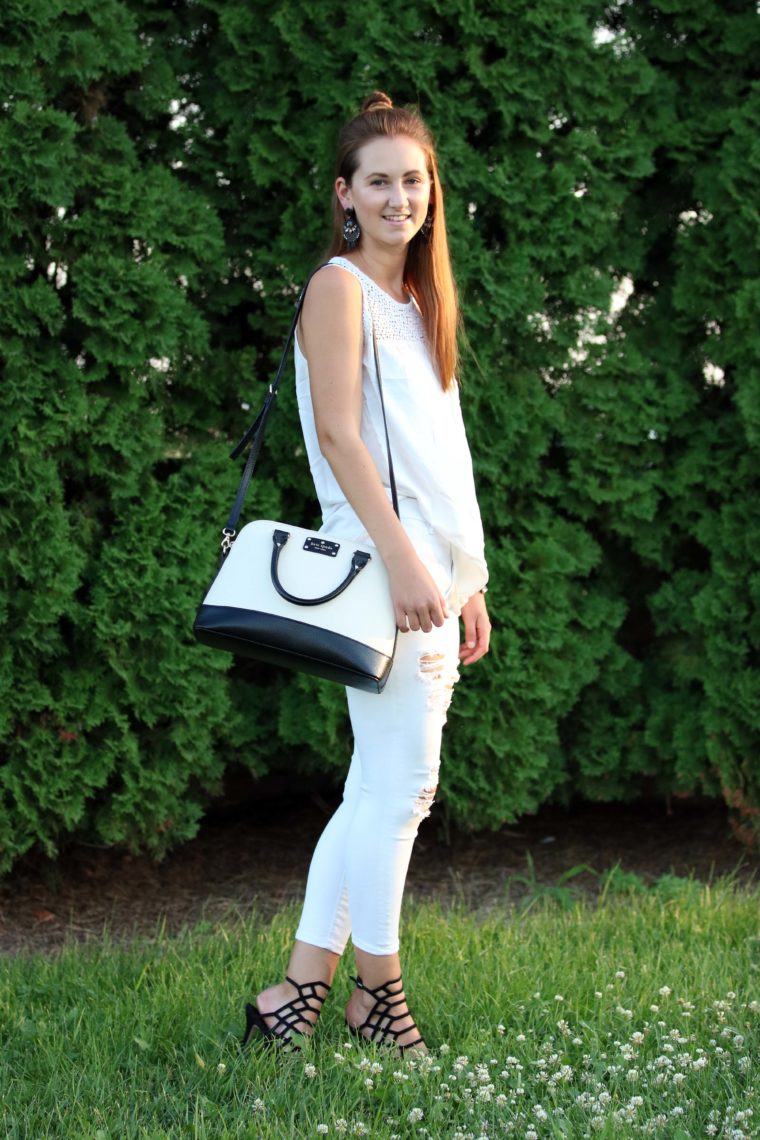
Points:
(428, 272)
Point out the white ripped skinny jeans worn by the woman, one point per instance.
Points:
(359, 867)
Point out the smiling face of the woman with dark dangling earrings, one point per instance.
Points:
(390, 191)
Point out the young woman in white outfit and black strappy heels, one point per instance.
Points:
(389, 275)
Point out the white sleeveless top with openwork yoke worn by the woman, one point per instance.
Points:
(431, 459)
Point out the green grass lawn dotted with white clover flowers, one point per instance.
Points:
(636, 1014)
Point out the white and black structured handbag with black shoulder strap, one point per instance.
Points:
(296, 598)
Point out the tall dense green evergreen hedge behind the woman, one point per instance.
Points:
(167, 174)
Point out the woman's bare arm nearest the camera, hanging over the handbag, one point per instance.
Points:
(332, 341)
